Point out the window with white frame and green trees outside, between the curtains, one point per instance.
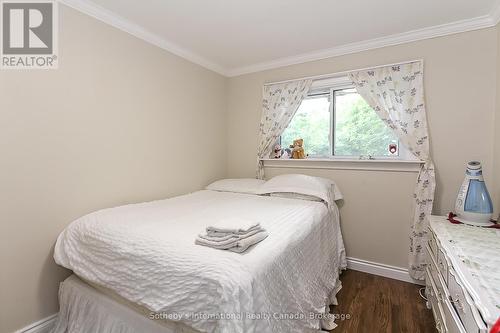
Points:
(334, 120)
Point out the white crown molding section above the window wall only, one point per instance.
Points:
(481, 22)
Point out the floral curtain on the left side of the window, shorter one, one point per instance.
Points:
(279, 104)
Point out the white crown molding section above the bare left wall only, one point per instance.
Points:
(108, 17)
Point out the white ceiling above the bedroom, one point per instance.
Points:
(236, 36)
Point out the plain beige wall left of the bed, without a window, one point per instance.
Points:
(120, 121)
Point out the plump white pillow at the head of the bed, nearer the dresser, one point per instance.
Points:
(317, 187)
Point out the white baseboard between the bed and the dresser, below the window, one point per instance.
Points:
(393, 272)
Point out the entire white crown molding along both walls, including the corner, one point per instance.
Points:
(90, 8)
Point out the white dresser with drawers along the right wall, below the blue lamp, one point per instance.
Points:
(463, 276)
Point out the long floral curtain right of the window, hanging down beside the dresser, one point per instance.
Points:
(396, 93)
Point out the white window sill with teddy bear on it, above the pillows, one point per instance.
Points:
(345, 164)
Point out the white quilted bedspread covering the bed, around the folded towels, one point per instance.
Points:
(146, 254)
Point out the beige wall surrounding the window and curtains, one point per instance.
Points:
(460, 83)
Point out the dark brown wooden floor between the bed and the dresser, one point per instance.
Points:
(378, 305)
